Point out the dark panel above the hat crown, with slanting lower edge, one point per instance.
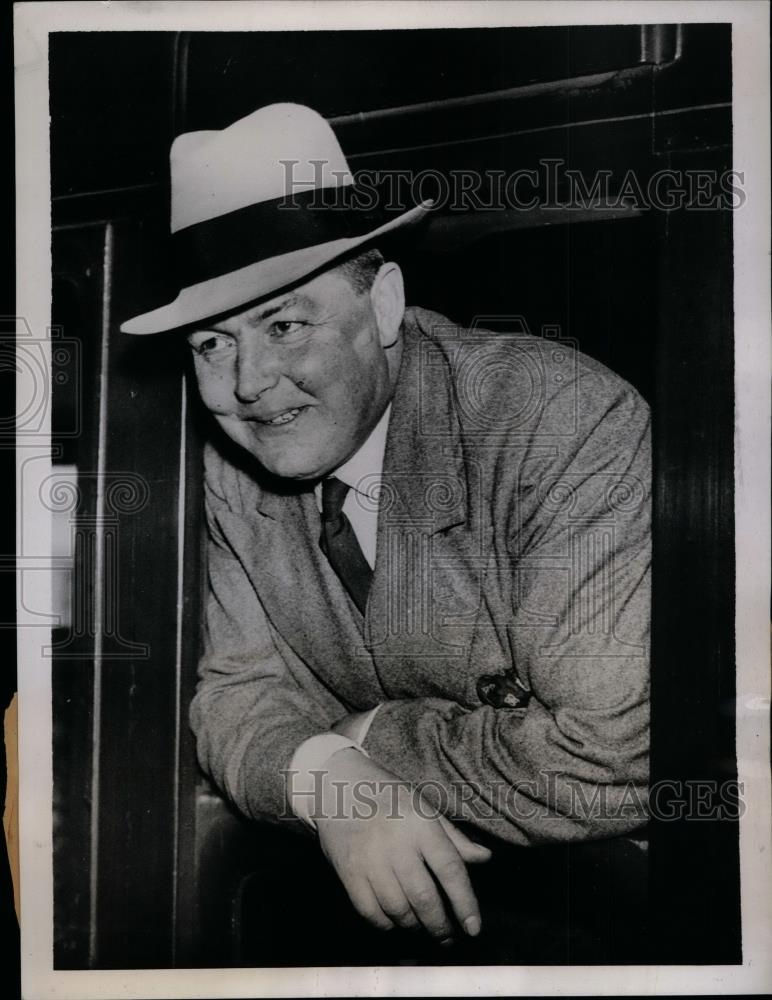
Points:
(225, 80)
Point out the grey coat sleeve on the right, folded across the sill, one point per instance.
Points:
(573, 763)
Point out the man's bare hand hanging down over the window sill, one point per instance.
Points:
(388, 850)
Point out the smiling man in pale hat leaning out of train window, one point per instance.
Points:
(428, 614)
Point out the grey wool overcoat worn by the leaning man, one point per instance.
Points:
(506, 635)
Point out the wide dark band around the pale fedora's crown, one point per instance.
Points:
(257, 232)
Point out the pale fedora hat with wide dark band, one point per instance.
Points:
(258, 206)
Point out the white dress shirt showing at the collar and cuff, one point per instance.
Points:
(362, 473)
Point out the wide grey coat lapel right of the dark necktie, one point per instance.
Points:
(432, 542)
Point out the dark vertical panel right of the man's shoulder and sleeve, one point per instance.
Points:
(694, 861)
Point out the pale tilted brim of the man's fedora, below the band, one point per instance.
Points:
(256, 281)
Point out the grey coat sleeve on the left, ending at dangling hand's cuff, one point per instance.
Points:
(254, 703)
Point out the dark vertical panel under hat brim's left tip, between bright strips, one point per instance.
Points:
(138, 675)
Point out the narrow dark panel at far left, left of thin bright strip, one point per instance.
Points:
(78, 257)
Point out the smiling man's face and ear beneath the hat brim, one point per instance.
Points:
(301, 380)
